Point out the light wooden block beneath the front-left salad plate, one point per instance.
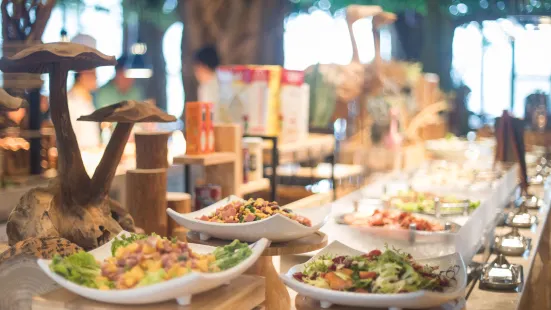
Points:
(245, 292)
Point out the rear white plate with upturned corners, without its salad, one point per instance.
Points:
(277, 228)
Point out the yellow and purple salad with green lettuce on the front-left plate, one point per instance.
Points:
(140, 260)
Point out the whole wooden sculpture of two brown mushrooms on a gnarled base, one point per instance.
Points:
(74, 206)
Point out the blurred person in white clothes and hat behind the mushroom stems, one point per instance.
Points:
(81, 102)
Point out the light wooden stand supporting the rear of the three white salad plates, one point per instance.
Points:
(277, 296)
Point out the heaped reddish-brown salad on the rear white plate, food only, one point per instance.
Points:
(250, 211)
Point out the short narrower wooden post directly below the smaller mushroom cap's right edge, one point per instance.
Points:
(151, 150)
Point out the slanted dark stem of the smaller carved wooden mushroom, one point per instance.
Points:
(105, 171)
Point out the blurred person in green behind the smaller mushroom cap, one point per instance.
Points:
(118, 89)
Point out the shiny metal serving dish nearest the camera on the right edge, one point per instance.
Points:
(501, 275)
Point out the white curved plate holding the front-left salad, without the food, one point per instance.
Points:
(181, 288)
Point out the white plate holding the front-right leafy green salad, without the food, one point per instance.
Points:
(415, 300)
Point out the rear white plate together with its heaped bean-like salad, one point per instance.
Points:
(250, 220)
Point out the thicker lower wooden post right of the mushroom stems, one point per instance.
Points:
(146, 199)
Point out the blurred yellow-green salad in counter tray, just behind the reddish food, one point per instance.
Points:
(412, 201)
